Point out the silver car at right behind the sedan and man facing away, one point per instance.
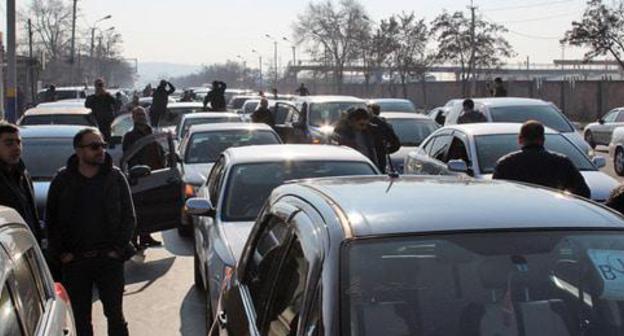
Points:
(520, 110)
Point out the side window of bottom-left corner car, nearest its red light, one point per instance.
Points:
(28, 293)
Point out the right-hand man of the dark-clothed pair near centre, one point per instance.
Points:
(386, 140)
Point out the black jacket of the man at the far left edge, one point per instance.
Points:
(22, 200)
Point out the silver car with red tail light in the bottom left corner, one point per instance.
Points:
(30, 302)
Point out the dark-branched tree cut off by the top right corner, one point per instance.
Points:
(601, 30)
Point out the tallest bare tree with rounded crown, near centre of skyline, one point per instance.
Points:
(333, 33)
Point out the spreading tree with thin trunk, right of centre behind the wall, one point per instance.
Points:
(471, 46)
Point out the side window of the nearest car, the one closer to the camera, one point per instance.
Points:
(287, 302)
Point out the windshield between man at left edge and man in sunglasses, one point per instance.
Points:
(45, 156)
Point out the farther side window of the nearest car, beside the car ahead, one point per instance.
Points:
(264, 262)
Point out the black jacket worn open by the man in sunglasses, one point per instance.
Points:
(64, 236)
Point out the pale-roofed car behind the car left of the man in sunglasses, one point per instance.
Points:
(57, 115)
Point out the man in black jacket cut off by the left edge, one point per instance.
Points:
(16, 188)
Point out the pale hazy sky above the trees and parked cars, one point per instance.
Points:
(208, 31)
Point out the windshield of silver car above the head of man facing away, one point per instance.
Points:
(546, 114)
